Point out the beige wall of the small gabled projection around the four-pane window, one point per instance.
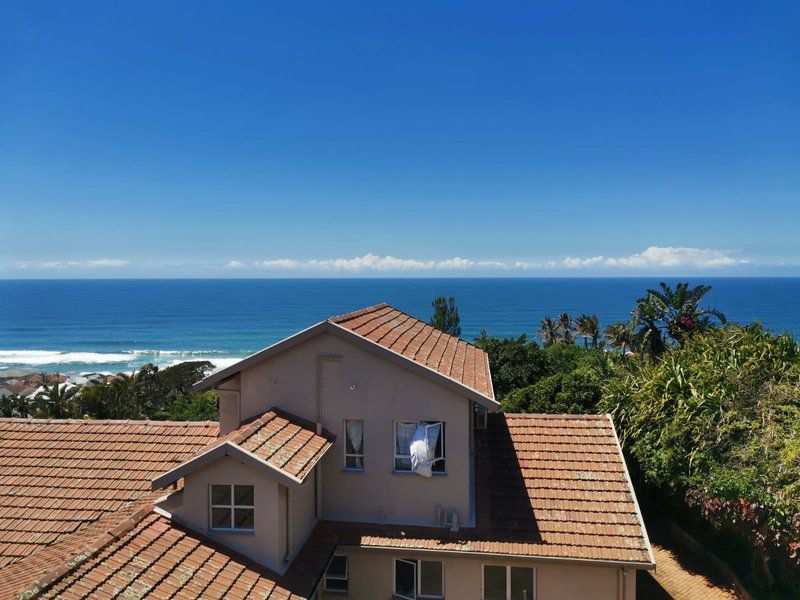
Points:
(267, 543)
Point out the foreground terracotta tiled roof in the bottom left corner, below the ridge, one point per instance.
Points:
(146, 554)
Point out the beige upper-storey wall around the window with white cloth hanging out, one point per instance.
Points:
(357, 384)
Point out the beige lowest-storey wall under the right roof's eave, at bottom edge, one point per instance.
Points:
(371, 577)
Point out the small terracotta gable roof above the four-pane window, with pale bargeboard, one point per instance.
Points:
(280, 439)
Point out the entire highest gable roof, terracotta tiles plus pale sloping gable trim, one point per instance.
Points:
(397, 336)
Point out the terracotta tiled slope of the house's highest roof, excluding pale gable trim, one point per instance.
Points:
(416, 340)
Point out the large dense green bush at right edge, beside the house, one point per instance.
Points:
(718, 421)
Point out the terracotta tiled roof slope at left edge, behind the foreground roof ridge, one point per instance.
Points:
(58, 475)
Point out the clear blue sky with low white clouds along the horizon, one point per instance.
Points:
(409, 138)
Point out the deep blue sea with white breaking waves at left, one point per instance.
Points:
(114, 325)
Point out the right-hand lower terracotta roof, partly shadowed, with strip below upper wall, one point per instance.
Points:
(550, 486)
